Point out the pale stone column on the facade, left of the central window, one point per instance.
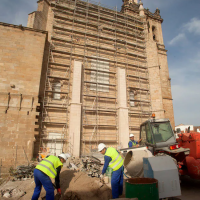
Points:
(75, 111)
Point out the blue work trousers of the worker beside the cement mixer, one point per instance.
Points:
(117, 183)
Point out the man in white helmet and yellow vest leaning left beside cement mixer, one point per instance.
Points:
(114, 160)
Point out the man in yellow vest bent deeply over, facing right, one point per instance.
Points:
(48, 167)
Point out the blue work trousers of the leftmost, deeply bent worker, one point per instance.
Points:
(42, 179)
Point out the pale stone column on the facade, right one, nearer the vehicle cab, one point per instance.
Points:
(123, 122)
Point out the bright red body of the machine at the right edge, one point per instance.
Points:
(191, 164)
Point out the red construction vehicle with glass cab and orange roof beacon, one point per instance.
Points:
(158, 137)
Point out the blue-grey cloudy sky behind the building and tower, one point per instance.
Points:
(181, 31)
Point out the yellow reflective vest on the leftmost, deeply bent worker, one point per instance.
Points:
(49, 165)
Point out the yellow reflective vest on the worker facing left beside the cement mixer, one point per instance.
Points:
(117, 160)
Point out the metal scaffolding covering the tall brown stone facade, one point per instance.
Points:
(103, 39)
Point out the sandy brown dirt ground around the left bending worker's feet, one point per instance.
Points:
(74, 186)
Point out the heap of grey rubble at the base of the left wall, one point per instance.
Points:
(23, 172)
